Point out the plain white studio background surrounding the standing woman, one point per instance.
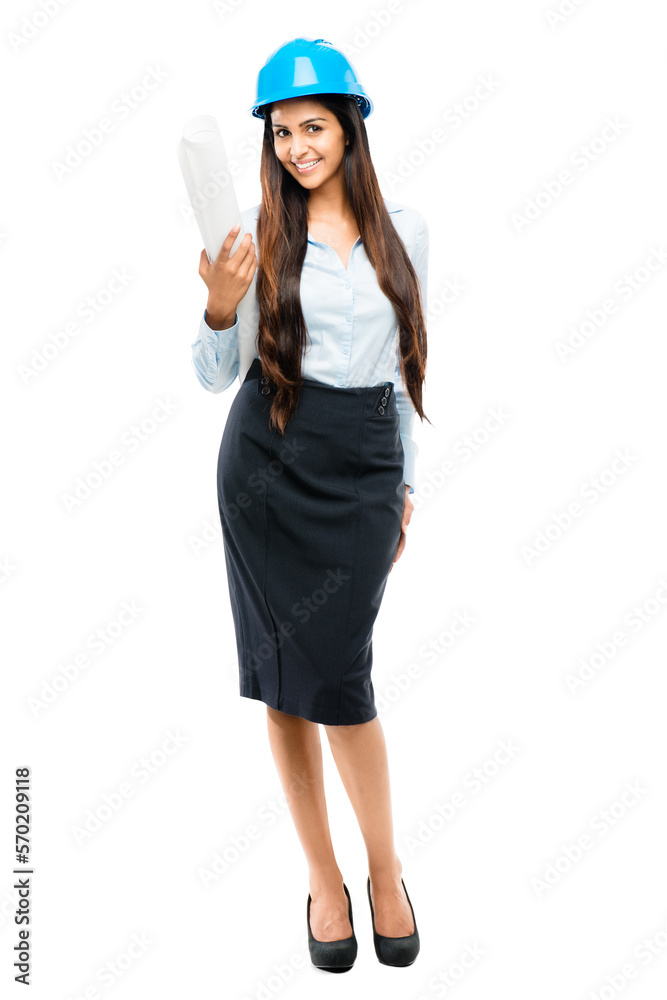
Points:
(473, 878)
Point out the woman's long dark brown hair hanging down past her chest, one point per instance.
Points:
(282, 236)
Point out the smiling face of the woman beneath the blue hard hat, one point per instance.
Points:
(303, 131)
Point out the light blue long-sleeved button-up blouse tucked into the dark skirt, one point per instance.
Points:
(352, 325)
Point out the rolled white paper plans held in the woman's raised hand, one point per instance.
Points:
(205, 169)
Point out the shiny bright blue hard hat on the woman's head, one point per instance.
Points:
(307, 66)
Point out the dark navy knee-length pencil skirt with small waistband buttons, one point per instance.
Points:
(311, 521)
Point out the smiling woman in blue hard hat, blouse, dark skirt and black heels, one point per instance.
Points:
(316, 463)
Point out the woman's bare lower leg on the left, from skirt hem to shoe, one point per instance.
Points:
(297, 751)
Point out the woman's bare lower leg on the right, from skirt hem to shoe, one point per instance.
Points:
(360, 754)
